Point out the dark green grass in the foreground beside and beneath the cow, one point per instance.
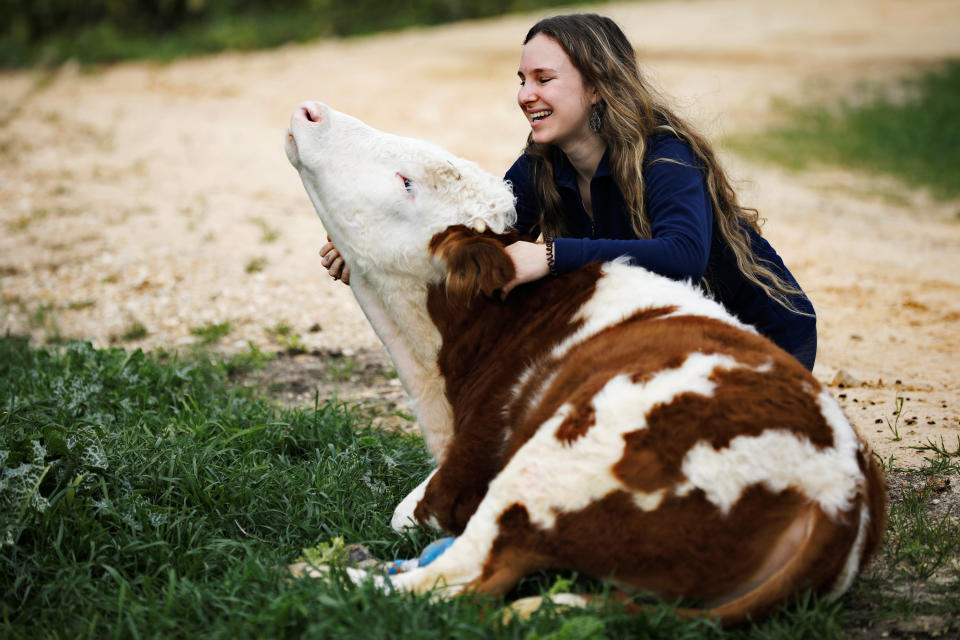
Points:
(148, 496)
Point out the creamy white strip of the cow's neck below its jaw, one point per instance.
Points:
(397, 313)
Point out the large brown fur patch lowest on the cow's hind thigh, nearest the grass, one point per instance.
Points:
(685, 548)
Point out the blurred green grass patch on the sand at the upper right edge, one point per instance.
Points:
(915, 137)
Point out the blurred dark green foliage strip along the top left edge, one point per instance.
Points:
(51, 31)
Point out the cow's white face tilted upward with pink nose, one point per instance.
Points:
(382, 197)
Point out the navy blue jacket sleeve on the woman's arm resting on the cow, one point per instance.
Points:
(681, 217)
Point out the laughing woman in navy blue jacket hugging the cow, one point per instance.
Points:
(609, 171)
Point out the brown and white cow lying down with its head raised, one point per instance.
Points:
(610, 420)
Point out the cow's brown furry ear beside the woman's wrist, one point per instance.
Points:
(476, 262)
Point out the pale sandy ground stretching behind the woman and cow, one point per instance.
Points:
(160, 194)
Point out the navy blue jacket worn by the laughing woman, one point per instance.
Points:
(686, 242)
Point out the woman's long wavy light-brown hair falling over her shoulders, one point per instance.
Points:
(631, 110)
